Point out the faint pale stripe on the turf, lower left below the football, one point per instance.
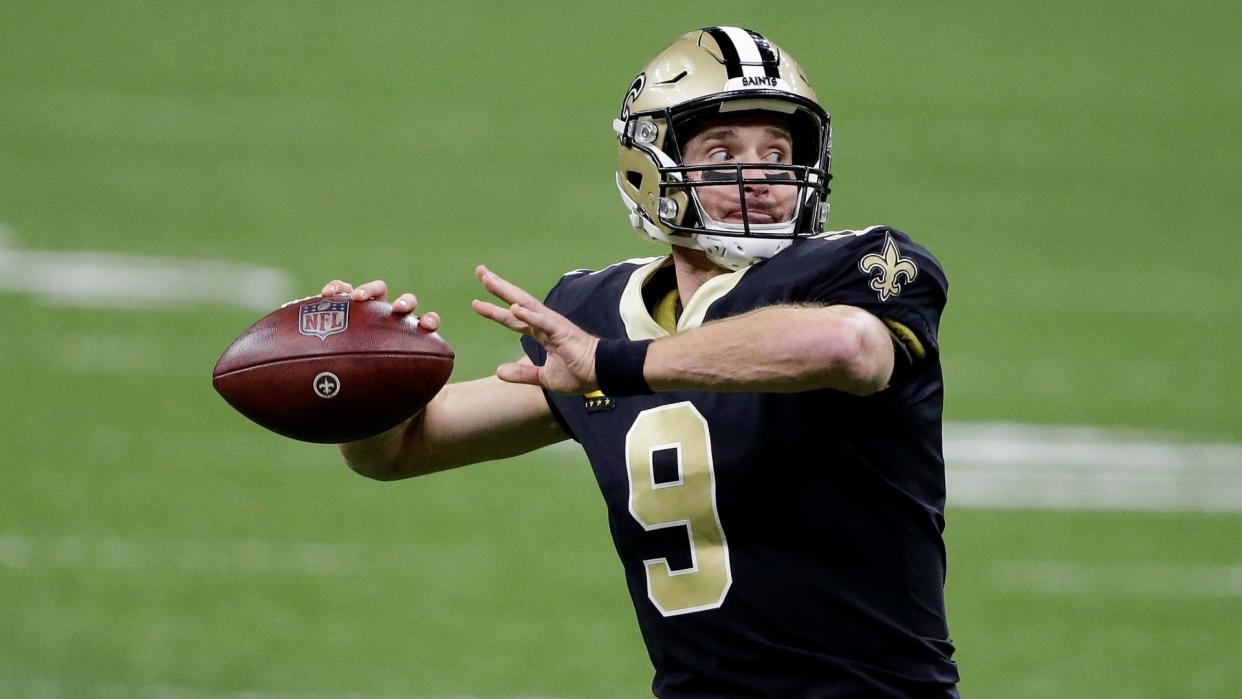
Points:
(188, 557)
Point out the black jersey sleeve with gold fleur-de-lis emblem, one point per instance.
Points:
(889, 275)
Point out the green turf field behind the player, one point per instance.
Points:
(1072, 166)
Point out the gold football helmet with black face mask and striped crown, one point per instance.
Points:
(716, 74)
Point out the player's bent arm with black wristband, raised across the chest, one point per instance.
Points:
(786, 348)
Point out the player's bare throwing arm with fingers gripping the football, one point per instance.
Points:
(466, 423)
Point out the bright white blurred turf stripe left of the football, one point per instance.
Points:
(134, 281)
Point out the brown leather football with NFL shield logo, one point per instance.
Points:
(333, 371)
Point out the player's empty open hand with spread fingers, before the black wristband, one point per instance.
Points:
(571, 366)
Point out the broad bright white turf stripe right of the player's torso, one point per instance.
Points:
(1082, 469)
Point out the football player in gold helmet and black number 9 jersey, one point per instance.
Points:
(761, 405)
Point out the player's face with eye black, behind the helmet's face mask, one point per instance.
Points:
(752, 141)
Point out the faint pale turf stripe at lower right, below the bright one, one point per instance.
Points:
(1132, 580)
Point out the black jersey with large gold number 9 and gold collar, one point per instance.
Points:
(779, 544)
